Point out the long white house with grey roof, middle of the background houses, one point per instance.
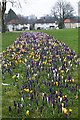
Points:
(46, 24)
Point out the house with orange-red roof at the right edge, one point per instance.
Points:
(72, 23)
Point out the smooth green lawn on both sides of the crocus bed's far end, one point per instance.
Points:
(69, 36)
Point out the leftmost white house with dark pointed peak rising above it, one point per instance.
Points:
(14, 23)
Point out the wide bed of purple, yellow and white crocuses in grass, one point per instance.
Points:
(42, 71)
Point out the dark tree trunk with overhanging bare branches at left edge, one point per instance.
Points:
(3, 5)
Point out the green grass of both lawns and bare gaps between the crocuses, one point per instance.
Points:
(11, 93)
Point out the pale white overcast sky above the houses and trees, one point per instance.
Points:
(38, 7)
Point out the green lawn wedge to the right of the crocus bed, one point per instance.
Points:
(68, 36)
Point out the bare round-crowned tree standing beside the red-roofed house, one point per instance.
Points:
(61, 11)
